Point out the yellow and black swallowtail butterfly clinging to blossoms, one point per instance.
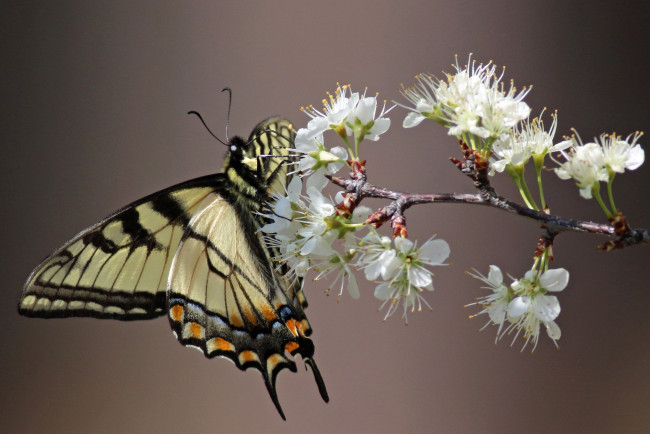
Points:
(193, 252)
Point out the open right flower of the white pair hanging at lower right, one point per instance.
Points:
(531, 307)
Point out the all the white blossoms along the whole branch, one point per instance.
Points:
(337, 239)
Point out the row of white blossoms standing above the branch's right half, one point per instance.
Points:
(475, 107)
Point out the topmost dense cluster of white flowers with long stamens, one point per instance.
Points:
(472, 101)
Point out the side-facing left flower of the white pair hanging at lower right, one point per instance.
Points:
(495, 304)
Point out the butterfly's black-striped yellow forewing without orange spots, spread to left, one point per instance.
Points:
(118, 268)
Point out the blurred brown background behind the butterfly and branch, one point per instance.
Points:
(94, 101)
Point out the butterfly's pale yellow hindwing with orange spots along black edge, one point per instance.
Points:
(223, 299)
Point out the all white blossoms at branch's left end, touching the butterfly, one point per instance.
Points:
(312, 233)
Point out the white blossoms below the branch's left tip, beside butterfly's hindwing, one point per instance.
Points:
(311, 236)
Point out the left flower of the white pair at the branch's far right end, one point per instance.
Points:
(586, 165)
